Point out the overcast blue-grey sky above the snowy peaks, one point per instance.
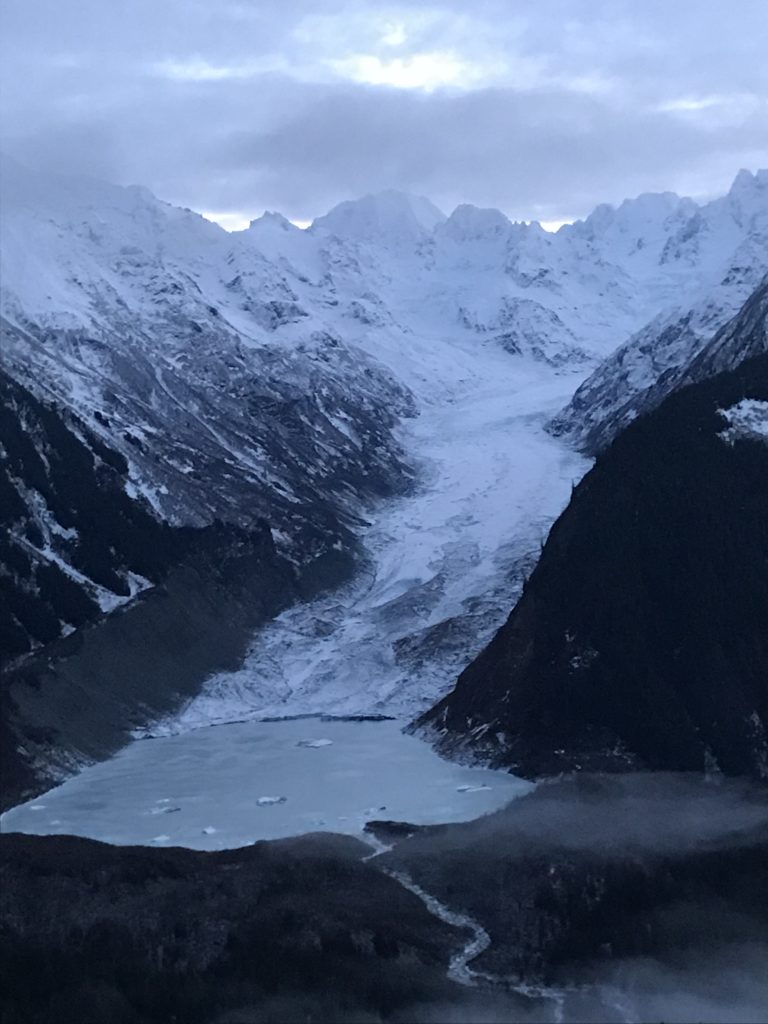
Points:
(541, 108)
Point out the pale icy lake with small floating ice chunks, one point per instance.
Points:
(229, 786)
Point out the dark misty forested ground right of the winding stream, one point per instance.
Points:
(602, 869)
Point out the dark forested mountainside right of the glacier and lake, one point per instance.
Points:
(642, 639)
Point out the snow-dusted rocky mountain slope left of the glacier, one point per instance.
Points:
(150, 324)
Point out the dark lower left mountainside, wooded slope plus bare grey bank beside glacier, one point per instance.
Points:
(110, 616)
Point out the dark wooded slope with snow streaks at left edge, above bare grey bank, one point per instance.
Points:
(74, 545)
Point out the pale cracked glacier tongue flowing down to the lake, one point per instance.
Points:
(443, 565)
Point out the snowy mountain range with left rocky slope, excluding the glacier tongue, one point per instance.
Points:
(114, 294)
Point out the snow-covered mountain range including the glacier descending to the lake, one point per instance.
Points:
(274, 375)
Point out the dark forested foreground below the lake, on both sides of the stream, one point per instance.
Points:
(644, 883)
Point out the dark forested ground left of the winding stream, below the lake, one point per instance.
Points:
(296, 930)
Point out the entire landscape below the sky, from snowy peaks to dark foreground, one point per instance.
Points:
(378, 641)
